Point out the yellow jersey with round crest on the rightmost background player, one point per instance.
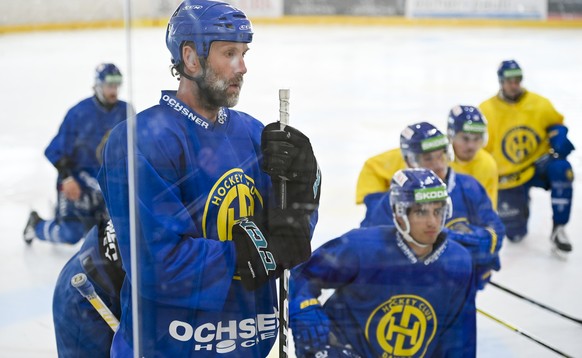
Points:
(517, 135)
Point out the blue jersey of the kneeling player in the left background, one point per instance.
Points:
(82, 131)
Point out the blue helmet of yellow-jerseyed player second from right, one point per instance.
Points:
(466, 119)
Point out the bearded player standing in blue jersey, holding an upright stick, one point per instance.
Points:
(211, 235)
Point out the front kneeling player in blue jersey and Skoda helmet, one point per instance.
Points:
(400, 291)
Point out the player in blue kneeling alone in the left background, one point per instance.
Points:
(76, 153)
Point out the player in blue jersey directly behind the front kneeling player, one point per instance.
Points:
(474, 223)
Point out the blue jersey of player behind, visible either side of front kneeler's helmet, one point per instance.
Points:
(471, 205)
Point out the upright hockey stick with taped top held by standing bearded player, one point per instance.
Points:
(284, 280)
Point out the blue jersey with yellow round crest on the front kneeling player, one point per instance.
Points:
(387, 302)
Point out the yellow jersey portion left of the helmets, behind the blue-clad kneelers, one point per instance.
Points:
(377, 173)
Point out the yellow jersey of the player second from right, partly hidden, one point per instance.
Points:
(484, 169)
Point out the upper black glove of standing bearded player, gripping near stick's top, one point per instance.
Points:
(288, 155)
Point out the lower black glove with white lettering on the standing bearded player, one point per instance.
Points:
(263, 254)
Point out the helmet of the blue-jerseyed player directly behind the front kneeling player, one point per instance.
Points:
(421, 138)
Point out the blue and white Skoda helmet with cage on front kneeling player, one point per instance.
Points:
(417, 186)
